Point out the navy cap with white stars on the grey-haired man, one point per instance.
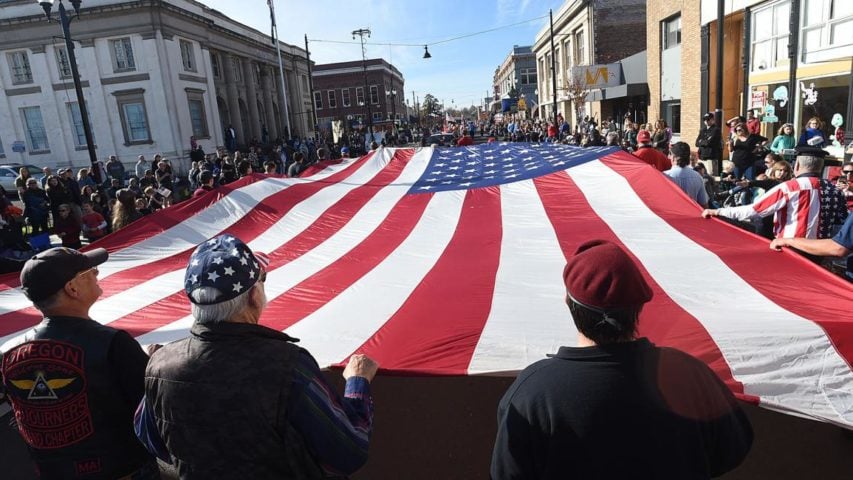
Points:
(225, 263)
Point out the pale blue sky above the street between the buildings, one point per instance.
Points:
(460, 70)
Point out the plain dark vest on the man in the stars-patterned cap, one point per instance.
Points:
(219, 399)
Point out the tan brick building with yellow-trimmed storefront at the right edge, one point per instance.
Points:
(756, 63)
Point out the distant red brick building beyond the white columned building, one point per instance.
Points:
(339, 95)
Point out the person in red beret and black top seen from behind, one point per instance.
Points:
(616, 406)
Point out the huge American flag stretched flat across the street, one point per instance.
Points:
(449, 262)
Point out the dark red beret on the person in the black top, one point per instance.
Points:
(602, 276)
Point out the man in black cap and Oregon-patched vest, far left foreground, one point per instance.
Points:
(74, 384)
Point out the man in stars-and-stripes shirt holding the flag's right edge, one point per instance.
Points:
(806, 206)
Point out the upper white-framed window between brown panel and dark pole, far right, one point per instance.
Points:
(770, 36)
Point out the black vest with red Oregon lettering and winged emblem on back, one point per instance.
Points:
(67, 405)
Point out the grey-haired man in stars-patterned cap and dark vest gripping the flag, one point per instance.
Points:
(240, 400)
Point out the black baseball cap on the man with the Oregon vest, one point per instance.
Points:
(47, 272)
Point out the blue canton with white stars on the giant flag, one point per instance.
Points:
(462, 168)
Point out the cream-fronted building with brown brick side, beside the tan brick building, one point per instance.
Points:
(587, 32)
